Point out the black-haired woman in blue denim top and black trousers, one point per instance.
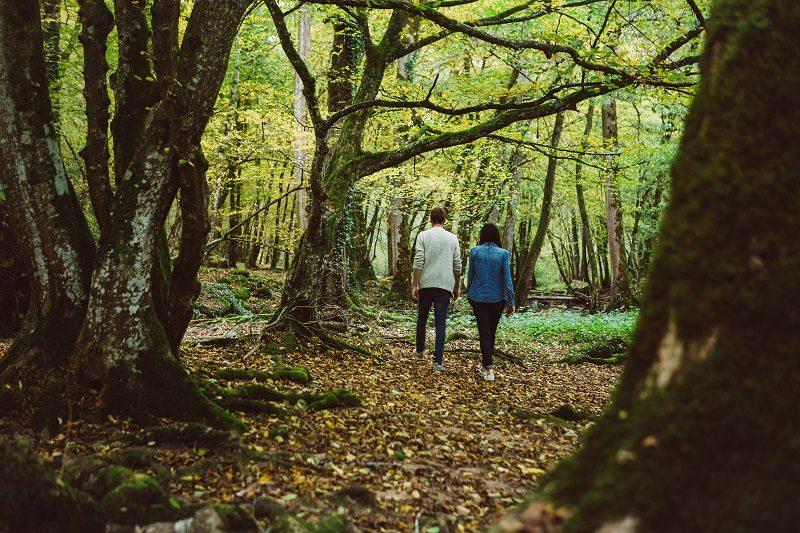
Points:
(489, 290)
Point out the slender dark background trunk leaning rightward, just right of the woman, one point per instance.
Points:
(527, 266)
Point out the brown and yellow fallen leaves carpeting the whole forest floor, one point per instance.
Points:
(432, 451)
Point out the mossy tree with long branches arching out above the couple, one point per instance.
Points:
(340, 157)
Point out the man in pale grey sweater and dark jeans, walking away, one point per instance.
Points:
(437, 271)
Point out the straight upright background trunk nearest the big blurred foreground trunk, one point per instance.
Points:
(620, 283)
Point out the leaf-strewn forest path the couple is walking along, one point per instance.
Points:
(447, 450)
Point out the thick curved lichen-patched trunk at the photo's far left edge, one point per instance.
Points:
(42, 204)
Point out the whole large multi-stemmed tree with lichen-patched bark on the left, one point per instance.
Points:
(110, 314)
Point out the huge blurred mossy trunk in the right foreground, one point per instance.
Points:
(704, 429)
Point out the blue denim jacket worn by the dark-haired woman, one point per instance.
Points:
(490, 274)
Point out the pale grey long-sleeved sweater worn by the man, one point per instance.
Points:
(438, 256)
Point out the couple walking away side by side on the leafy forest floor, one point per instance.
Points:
(437, 280)
